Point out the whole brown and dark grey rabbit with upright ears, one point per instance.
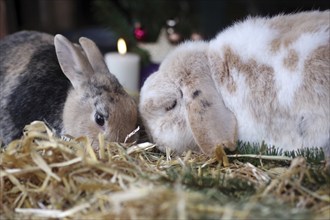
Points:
(48, 78)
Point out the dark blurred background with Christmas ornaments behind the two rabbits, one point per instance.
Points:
(151, 28)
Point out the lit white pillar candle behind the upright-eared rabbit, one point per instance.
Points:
(125, 66)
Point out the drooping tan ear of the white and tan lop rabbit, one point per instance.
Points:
(211, 122)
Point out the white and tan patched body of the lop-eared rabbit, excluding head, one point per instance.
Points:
(275, 78)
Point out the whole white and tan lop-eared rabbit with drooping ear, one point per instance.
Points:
(262, 79)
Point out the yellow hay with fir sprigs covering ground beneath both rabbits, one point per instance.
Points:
(43, 176)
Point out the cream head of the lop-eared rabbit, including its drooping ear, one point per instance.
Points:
(180, 106)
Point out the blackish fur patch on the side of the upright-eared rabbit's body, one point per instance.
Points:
(41, 91)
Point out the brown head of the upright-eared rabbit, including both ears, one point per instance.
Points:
(97, 103)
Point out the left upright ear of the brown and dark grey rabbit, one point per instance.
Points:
(72, 61)
